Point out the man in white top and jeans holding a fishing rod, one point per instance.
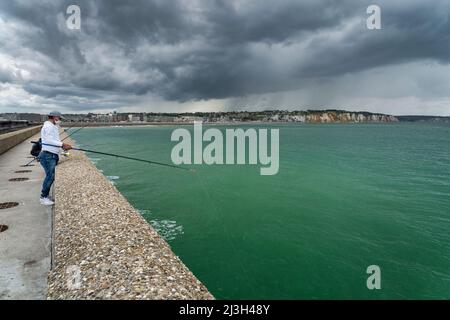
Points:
(49, 156)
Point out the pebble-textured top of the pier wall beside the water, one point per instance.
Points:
(104, 249)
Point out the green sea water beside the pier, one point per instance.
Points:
(346, 197)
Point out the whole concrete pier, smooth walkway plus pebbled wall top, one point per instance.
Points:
(92, 245)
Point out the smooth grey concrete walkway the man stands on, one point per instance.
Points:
(25, 254)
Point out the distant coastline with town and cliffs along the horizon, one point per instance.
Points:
(220, 118)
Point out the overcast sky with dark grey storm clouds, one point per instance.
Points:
(206, 55)
